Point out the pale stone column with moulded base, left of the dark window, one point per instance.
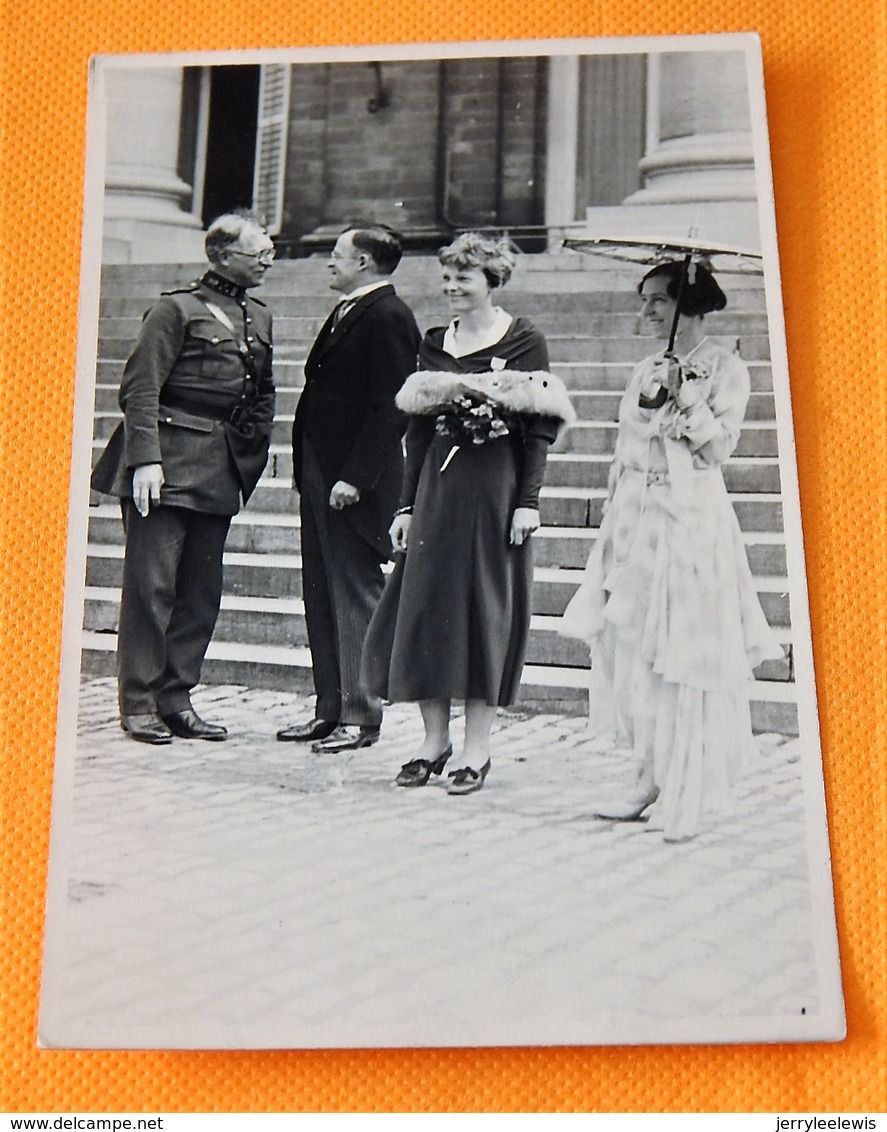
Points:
(147, 203)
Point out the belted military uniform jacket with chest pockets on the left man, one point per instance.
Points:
(199, 399)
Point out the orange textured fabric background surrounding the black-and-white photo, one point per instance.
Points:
(826, 76)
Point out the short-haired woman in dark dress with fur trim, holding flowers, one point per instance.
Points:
(454, 621)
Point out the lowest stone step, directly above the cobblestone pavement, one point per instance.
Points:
(774, 707)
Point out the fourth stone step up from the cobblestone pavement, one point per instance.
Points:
(259, 533)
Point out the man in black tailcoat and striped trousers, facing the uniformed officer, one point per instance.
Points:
(348, 465)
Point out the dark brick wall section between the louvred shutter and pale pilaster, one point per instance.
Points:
(461, 143)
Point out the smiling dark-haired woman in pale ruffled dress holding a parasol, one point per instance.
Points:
(668, 603)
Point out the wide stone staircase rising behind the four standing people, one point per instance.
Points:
(588, 308)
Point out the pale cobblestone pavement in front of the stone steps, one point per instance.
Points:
(252, 894)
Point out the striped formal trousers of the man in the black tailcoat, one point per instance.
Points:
(342, 582)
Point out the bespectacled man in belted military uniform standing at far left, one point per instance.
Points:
(199, 406)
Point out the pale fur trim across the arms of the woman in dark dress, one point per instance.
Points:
(529, 395)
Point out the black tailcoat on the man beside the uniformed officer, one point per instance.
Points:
(347, 413)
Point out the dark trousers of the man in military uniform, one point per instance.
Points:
(173, 591)
